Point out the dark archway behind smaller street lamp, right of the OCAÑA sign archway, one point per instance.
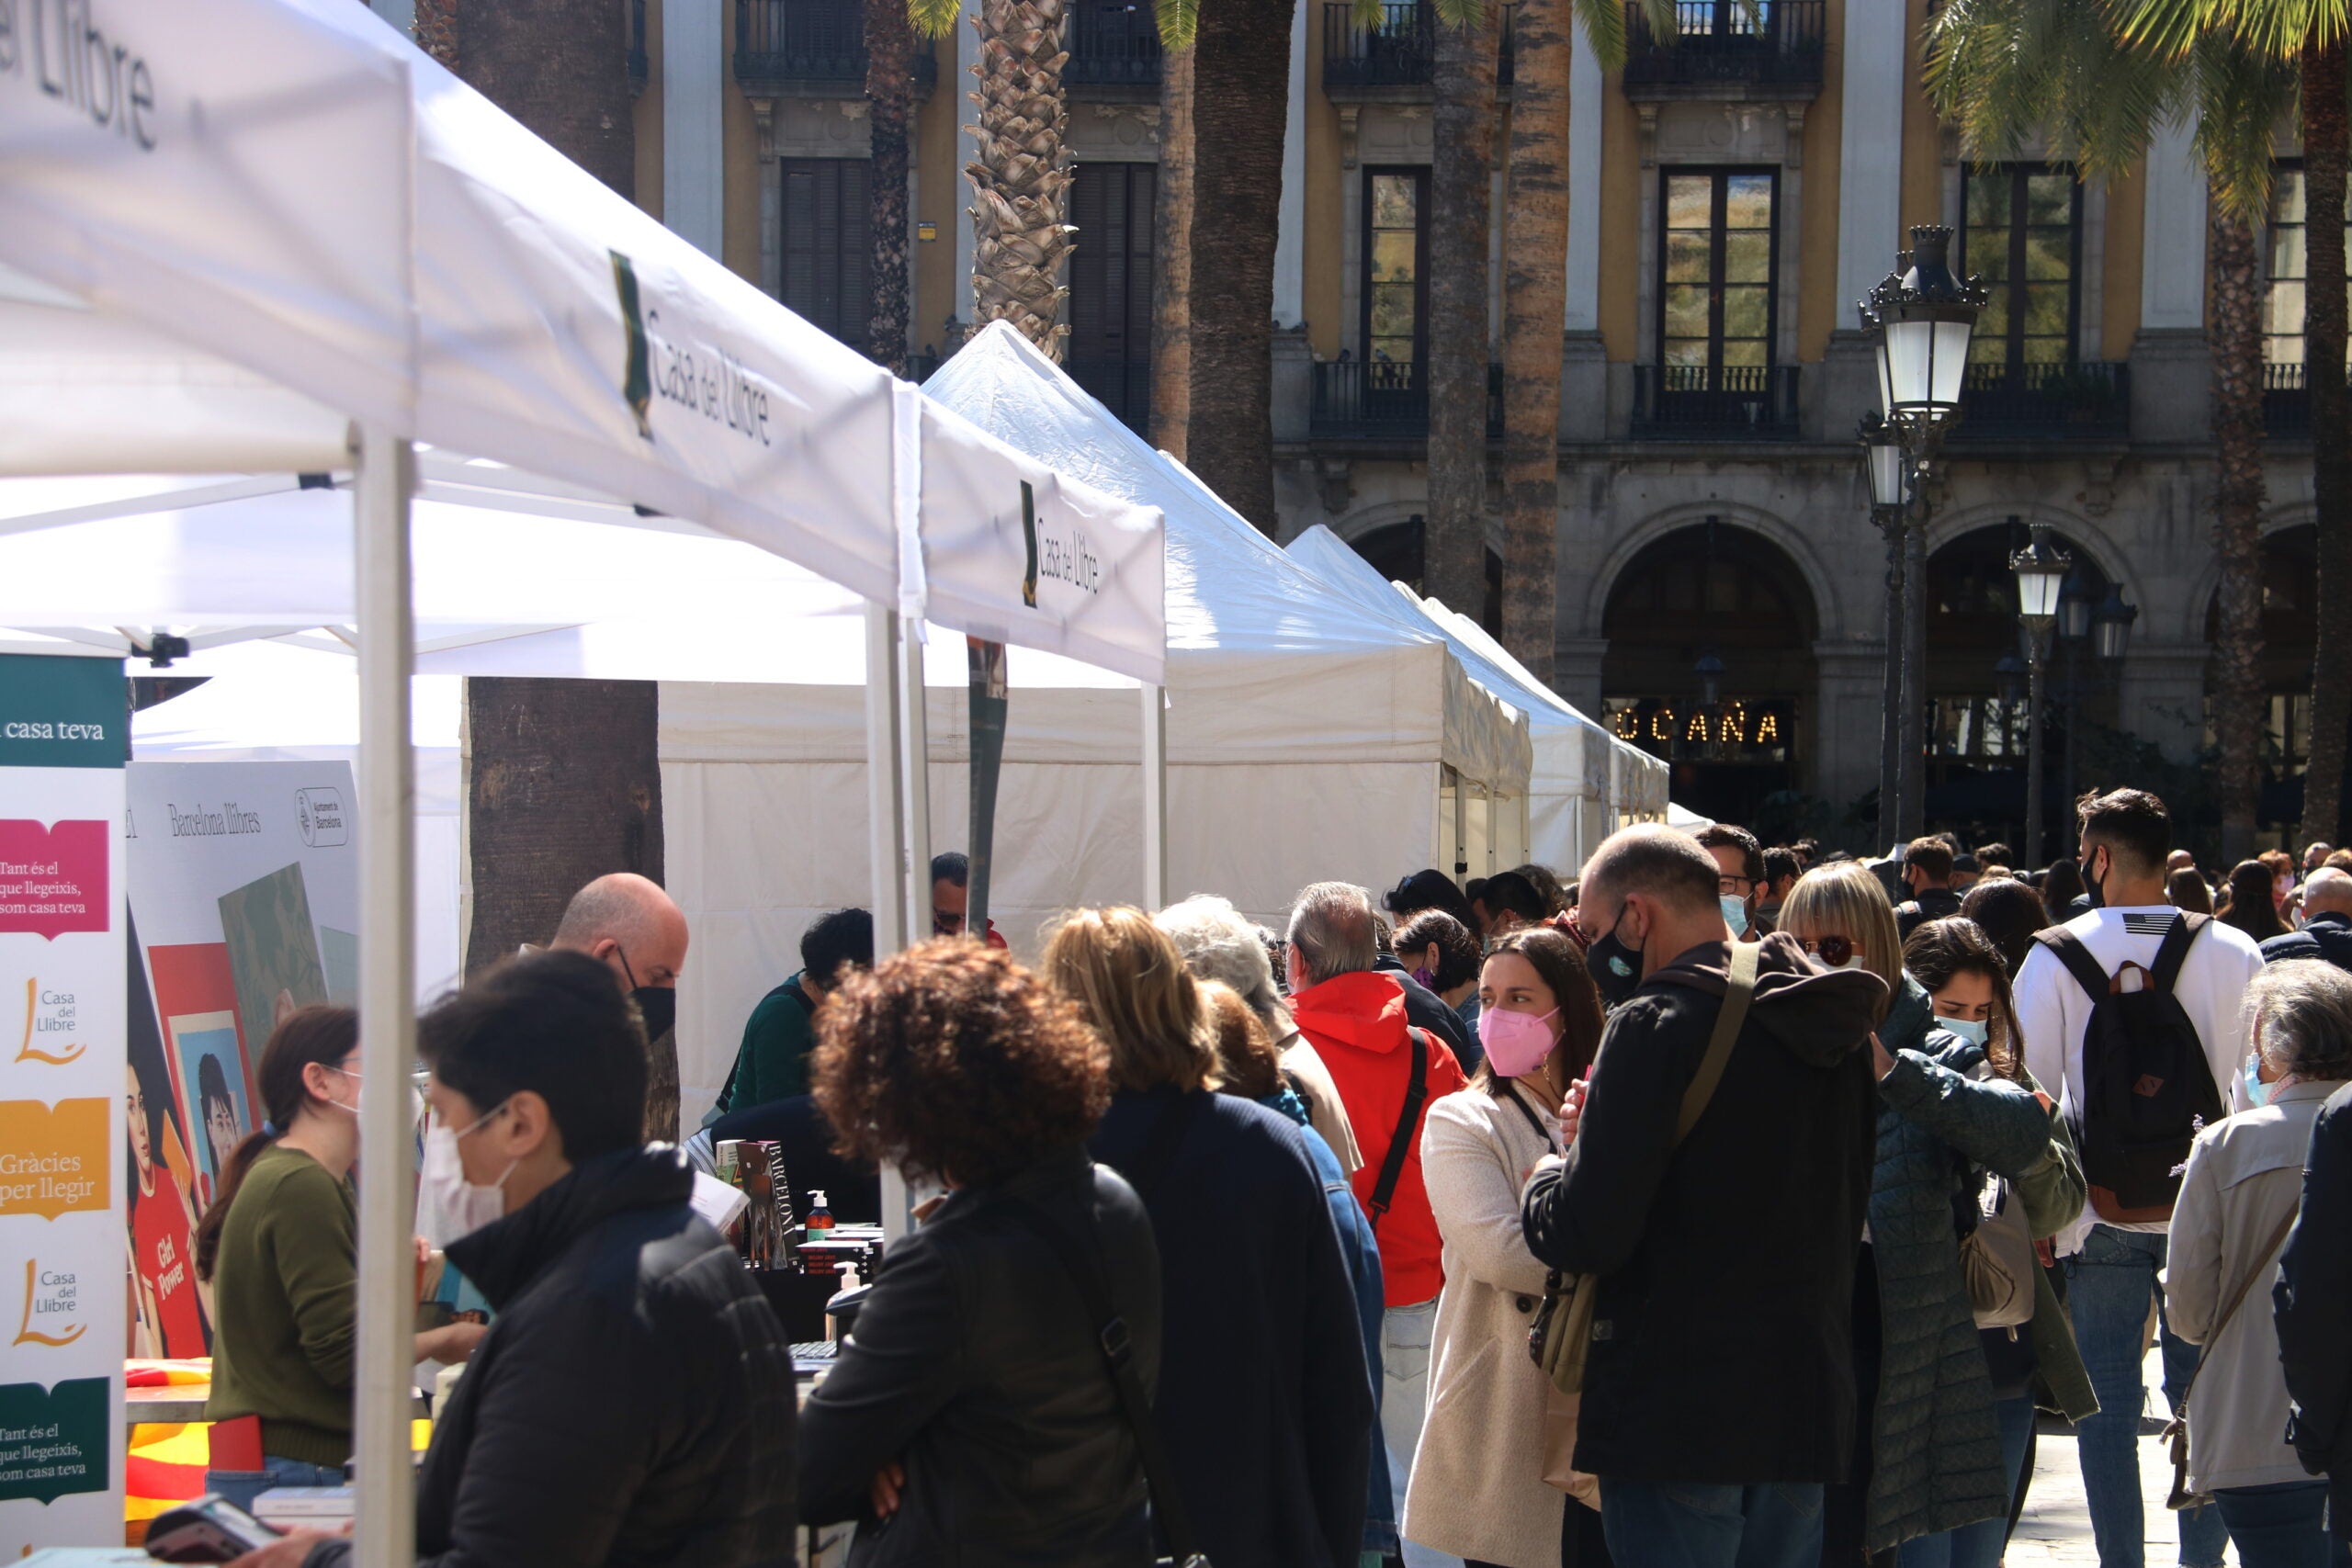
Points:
(1977, 721)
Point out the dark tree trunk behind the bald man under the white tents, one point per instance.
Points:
(563, 784)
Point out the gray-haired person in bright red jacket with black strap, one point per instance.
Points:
(1387, 1078)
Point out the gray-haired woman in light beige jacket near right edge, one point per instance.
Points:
(2238, 1200)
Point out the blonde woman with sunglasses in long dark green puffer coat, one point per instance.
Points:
(1930, 1461)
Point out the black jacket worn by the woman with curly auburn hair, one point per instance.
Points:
(977, 1367)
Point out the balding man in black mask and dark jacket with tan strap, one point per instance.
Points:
(1720, 1388)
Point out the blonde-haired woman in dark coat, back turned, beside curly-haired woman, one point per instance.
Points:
(1255, 1289)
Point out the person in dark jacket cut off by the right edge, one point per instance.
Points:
(2313, 1304)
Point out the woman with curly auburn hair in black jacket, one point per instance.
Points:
(973, 1416)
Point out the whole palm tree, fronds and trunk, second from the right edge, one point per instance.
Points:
(2097, 91)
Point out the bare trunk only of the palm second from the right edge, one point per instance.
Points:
(2238, 535)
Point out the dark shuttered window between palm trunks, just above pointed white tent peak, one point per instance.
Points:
(1111, 286)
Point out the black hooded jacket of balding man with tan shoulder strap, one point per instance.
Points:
(1723, 1334)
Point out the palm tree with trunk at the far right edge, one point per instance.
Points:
(2308, 34)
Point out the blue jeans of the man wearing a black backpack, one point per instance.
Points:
(2111, 1282)
